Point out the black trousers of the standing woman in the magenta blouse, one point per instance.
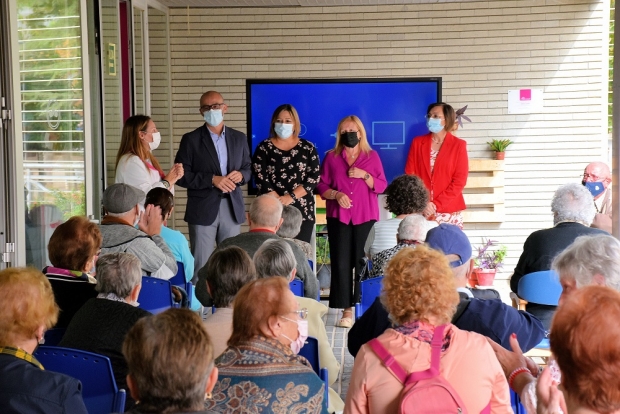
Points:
(346, 250)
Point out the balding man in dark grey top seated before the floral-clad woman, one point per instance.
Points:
(265, 217)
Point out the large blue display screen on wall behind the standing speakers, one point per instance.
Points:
(392, 110)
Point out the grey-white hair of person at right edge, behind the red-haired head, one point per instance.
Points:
(589, 256)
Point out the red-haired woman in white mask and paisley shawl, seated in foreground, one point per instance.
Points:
(259, 369)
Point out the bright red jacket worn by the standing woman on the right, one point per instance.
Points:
(445, 185)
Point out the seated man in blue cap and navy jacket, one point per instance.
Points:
(491, 317)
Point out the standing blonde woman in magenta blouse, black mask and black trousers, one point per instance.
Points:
(351, 178)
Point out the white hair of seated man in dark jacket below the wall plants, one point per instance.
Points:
(573, 202)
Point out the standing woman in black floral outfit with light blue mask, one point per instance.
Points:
(287, 167)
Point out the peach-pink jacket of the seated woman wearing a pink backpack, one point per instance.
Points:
(469, 365)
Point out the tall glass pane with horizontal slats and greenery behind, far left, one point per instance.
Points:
(53, 81)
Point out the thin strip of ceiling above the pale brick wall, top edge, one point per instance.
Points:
(302, 3)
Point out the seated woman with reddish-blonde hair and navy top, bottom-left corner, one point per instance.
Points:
(27, 310)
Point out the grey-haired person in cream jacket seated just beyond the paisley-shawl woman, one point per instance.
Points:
(275, 258)
